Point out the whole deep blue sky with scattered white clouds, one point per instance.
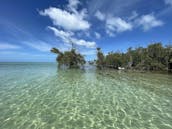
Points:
(30, 28)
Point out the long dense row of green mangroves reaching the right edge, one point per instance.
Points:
(153, 57)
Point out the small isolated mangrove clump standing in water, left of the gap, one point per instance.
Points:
(70, 59)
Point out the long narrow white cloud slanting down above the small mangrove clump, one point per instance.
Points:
(67, 38)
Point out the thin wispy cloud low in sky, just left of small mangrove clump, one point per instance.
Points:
(39, 45)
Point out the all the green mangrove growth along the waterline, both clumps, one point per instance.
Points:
(154, 57)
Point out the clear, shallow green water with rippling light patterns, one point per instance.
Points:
(38, 96)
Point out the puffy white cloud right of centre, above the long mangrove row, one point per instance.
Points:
(117, 25)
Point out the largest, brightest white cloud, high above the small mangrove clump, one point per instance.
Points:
(67, 20)
